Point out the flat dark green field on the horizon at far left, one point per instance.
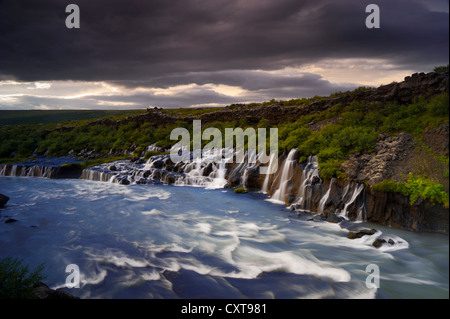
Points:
(16, 117)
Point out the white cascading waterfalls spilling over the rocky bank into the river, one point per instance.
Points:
(213, 170)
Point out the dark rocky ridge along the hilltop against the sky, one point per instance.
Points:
(413, 87)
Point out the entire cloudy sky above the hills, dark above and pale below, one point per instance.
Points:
(133, 54)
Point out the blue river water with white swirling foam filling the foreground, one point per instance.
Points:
(160, 241)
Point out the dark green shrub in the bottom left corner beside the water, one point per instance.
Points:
(15, 280)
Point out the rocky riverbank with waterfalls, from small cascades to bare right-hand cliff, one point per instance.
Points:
(297, 185)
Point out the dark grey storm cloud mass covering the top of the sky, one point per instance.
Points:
(161, 39)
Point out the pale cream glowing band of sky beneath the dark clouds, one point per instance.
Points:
(101, 95)
